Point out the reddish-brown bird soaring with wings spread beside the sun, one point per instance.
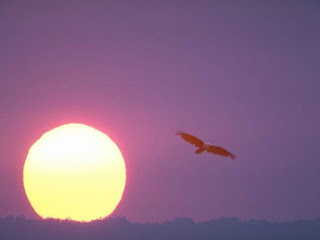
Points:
(202, 146)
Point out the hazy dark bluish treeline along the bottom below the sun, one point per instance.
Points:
(180, 228)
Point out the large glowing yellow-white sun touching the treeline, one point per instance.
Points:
(74, 172)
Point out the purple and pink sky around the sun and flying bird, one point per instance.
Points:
(239, 74)
